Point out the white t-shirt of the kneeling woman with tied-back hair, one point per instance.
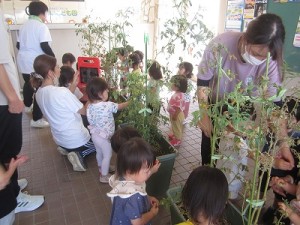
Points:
(60, 107)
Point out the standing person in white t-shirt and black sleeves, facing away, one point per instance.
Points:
(33, 40)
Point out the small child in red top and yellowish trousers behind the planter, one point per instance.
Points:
(176, 108)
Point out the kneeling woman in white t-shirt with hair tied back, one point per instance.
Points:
(62, 109)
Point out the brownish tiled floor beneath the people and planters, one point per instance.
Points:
(78, 198)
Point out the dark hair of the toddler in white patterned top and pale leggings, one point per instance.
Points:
(95, 86)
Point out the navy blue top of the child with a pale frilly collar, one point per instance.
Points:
(126, 209)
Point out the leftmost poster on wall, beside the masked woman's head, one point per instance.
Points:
(234, 15)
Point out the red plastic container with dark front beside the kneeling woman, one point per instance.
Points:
(88, 68)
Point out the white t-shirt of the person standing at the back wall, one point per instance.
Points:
(31, 34)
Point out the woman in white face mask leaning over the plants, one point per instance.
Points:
(244, 55)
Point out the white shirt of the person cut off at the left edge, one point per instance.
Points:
(7, 61)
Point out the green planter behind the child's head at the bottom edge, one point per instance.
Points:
(232, 214)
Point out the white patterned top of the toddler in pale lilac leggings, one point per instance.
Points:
(101, 119)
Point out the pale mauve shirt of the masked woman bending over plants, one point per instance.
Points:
(234, 67)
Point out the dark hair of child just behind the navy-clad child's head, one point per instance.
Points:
(121, 136)
